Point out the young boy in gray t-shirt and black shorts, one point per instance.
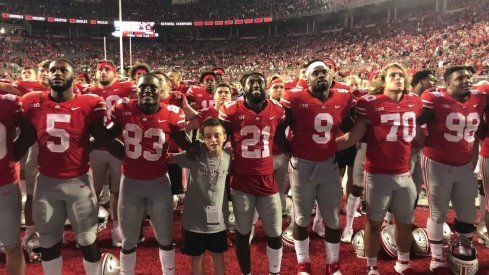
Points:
(202, 217)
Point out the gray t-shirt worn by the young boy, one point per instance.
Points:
(206, 187)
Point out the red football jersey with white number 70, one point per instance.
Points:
(392, 130)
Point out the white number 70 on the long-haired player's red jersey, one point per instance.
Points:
(407, 120)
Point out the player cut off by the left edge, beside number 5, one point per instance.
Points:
(10, 202)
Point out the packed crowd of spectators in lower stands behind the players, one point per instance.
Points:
(428, 41)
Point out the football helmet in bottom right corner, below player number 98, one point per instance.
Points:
(462, 257)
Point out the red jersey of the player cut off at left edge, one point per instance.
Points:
(9, 119)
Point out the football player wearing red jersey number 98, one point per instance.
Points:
(452, 118)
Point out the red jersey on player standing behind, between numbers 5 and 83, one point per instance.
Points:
(112, 94)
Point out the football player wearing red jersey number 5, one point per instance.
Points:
(62, 123)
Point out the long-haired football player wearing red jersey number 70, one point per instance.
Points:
(388, 119)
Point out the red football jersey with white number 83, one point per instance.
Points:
(146, 137)
